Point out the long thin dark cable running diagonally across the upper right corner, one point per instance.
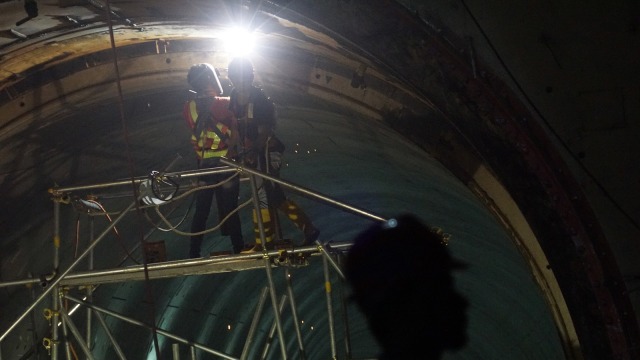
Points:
(546, 122)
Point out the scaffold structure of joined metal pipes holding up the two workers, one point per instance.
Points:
(216, 264)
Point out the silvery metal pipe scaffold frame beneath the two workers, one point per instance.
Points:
(54, 285)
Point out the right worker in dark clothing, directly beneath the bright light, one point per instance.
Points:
(262, 150)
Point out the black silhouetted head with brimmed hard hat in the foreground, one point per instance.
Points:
(401, 275)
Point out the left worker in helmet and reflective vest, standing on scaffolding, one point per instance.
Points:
(213, 135)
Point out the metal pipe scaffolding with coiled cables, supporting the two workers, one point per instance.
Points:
(148, 191)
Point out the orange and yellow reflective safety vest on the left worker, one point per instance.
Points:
(209, 144)
